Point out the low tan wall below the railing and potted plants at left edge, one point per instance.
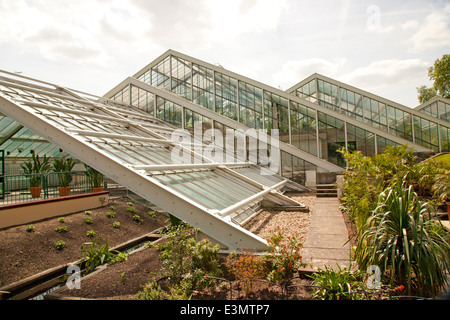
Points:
(24, 213)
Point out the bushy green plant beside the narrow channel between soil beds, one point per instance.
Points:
(96, 255)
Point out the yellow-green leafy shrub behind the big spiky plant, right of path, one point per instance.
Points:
(366, 177)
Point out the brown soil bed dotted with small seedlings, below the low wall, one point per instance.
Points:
(24, 254)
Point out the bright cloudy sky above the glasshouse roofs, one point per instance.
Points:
(383, 47)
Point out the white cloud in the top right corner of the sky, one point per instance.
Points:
(433, 32)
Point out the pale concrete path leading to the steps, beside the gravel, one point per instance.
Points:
(327, 237)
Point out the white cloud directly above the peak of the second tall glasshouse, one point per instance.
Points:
(293, 72)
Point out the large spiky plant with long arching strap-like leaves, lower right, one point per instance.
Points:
(403, 240)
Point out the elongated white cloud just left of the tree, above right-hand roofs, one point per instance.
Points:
(386, 72)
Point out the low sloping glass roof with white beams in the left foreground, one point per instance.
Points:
(133, 148)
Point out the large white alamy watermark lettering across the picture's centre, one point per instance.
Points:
(235, 146)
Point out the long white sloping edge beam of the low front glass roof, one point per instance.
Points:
(232, 236)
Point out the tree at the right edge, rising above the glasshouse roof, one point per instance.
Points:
(439, 73)
